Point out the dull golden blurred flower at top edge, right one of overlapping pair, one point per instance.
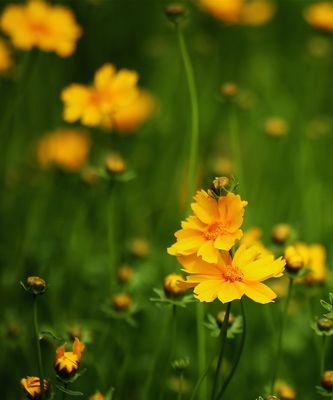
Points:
(257, 12)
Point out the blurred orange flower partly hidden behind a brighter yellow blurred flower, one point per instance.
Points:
(128, 119)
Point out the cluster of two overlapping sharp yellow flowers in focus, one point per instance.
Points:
(203, 247)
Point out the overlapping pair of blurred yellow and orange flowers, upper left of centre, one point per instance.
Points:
(114, 100)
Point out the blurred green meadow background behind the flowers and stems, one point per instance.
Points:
(76, 235)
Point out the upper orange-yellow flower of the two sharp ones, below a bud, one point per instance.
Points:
(214, 226)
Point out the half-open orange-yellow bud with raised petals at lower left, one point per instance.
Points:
(66, 363)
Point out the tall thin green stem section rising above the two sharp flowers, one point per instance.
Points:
(193, 156)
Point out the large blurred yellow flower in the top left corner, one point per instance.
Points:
(39, 24)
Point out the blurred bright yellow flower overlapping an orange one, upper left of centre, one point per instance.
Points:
(98, 104)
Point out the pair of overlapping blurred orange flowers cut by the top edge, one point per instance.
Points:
(247, 12)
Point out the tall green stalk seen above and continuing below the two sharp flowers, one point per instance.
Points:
(193, 160)
